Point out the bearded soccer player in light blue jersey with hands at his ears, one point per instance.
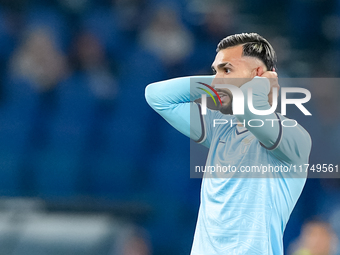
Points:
(239, 215)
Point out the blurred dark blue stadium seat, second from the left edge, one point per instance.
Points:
(57, 166)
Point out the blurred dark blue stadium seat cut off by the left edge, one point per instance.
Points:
(16, 115)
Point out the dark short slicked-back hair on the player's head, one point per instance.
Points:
(254, 45)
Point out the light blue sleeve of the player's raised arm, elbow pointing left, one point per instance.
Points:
(174, 100)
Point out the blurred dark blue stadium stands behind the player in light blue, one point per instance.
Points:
(86, 167)
